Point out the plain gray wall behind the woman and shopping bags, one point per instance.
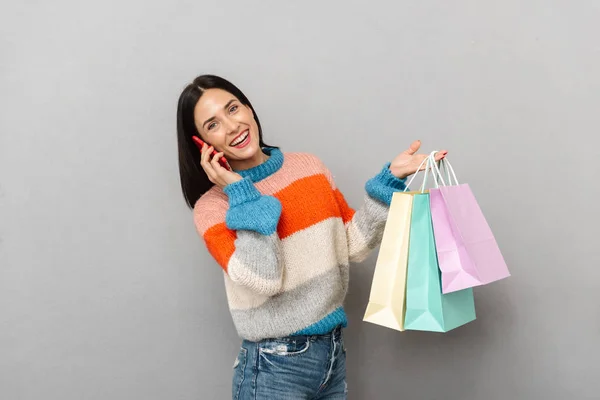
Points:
(106, 292)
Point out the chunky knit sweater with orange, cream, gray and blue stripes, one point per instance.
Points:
(285, 237)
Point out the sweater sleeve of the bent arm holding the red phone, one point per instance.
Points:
(246, 245)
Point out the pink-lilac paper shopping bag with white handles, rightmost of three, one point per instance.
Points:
(468, 254)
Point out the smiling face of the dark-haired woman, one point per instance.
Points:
(228, 125)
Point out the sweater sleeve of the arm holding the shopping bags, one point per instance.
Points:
(365, 225)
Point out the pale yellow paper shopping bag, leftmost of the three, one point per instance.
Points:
(386, 301)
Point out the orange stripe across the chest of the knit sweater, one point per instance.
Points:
(306, 202)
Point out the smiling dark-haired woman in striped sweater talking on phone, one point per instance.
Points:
(284, 236)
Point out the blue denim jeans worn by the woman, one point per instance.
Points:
(292, 368)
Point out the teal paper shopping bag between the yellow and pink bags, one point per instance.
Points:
(427, 309)
